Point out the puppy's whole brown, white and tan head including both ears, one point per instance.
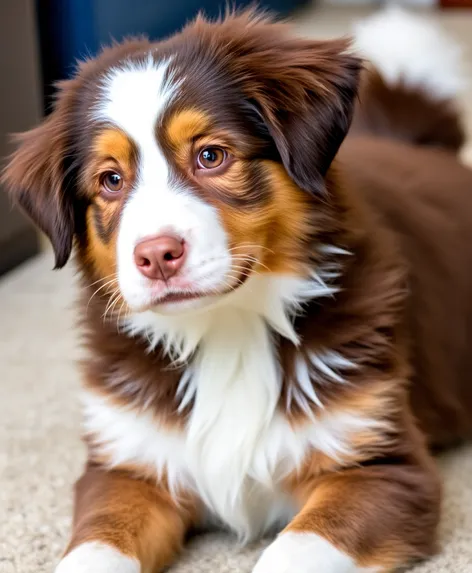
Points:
(182, 168)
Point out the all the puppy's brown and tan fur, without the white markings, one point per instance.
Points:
(403, 314)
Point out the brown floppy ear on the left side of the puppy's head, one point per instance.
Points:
(38, 174)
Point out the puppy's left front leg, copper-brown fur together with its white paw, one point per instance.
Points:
(124, 525)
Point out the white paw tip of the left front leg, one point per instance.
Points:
(95, 557)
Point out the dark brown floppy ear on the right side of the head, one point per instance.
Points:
(305, 91)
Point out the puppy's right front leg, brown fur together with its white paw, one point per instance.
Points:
(368, 519)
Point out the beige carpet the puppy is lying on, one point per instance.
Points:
(40, 451)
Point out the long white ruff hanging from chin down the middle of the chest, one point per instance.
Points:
(234, 436)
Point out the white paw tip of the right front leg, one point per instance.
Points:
(305, 553)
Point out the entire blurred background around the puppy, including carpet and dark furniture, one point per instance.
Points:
(40, 450)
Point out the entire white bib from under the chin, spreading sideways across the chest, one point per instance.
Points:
(237, 446)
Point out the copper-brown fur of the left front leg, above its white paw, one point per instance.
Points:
(131, 515)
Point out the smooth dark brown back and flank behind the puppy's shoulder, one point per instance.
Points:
(425, 194)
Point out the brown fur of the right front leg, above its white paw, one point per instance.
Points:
(383, 516)
